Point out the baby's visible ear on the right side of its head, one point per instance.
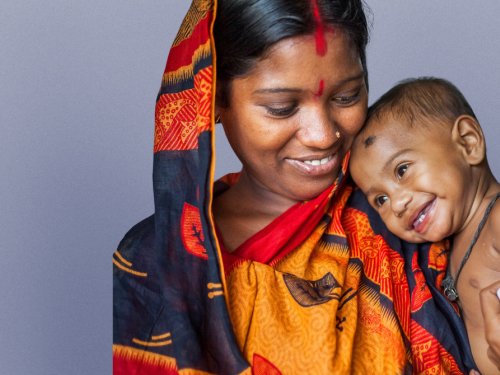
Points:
(468, 135)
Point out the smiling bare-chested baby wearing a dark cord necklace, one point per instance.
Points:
(421, 161)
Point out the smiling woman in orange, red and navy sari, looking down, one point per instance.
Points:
(293, 273)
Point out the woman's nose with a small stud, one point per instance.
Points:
(317, 131)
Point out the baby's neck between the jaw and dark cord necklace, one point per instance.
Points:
(487, 188)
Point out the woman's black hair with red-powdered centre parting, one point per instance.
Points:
(245, 29)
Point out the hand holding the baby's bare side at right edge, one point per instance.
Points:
(490, 305)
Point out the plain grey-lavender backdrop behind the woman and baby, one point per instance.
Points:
(78, 82)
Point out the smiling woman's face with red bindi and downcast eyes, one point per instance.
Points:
(283, 120)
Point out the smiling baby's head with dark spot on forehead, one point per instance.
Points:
(419, 159)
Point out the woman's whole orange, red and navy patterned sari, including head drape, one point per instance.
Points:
(324, 289)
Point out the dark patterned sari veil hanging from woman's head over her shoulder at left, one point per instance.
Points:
(165, 295)
